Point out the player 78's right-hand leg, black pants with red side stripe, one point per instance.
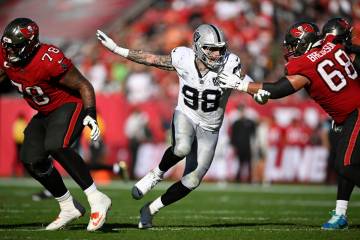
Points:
(64, 126)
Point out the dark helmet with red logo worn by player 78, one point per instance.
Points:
(20, 40)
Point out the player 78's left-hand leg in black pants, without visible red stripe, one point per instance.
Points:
(40, 167)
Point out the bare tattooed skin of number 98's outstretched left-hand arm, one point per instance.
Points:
(159, 61)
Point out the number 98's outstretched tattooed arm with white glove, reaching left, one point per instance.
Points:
(138, 56)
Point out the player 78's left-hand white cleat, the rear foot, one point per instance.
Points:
(66, 216)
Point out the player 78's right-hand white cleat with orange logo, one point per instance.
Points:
(99, 210)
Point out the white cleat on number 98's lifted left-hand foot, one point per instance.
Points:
(144, 185)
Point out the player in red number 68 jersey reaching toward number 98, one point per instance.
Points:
(326, 71)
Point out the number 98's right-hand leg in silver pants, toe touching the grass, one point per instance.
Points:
(197, 164)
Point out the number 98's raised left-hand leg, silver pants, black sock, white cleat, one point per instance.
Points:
(183, 134)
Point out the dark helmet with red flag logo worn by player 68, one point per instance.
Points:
(300, 37)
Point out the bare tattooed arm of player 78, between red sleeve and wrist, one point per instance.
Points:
(74, 80)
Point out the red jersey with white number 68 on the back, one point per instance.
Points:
(335, 84)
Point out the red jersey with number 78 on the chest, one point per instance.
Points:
(38, 80)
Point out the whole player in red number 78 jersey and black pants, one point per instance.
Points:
(65, 102)
